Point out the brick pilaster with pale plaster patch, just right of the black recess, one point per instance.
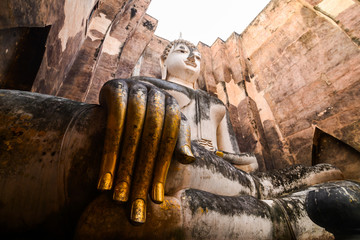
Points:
(64, 41)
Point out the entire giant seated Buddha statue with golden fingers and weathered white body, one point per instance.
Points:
(167, 165)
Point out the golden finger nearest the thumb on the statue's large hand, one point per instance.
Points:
(168, 141)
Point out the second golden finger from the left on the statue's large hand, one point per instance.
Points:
(133, 126)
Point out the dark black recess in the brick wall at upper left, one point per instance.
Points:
(21, 53)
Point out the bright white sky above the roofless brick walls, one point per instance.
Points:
(203, 20)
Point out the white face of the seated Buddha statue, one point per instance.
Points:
(183, 63)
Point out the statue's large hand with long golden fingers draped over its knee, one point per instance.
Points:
(144, 126)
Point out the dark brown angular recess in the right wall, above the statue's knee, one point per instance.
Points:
(328, 149)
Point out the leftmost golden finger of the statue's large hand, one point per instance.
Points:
(113, 97)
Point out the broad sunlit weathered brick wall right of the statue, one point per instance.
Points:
(306, 64)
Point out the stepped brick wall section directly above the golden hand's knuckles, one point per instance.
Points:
(117, 34)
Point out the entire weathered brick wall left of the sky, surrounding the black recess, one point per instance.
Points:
(89, 43)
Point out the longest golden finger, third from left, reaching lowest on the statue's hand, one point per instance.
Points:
(149, 146)
